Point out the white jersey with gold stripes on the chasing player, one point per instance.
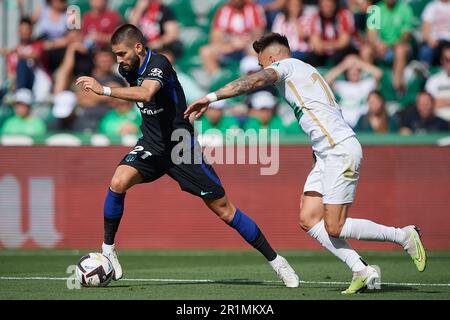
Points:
(313, 102)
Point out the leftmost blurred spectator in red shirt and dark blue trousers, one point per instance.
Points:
(25, 57)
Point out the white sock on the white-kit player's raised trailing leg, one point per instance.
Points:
(362, 229)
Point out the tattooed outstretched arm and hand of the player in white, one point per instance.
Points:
(237, 87)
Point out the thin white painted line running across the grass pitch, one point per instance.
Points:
(236, 281)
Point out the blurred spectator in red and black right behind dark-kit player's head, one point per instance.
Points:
(158, 24)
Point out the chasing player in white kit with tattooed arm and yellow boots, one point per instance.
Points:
(330, 187)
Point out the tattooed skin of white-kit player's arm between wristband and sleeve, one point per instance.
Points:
(248, 83)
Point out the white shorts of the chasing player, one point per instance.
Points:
(336, 172)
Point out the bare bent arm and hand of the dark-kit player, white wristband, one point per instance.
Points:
(144, 93)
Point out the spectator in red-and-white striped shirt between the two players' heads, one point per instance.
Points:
(236, 25)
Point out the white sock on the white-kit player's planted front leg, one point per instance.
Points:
(339, 247)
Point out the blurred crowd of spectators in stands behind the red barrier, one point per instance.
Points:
(387, 61)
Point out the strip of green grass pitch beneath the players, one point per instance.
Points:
(220, 275)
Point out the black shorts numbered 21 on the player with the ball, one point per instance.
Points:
(197, 178)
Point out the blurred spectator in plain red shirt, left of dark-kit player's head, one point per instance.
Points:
(99, 23)
